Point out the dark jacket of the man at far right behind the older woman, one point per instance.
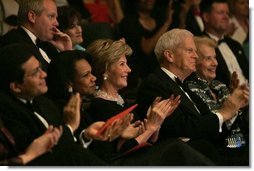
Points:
(222, 72)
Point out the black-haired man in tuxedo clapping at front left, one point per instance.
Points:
(22, 83)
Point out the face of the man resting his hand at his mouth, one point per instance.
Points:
(45, 24)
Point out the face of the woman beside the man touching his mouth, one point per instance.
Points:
(75, 33)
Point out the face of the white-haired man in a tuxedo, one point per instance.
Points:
(184, 58)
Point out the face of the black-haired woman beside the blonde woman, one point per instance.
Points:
(84, 81)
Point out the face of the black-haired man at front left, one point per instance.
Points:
(34, 83)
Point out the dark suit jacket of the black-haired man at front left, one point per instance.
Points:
(25, 127)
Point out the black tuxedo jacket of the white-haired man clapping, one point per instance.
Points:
(185, 121)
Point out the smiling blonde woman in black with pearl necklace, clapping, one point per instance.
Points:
(111, 69)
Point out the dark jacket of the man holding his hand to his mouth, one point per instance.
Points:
(20, 36)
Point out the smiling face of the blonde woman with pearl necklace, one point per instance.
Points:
(118, 73)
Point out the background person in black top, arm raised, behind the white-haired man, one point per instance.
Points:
(141, 31)
